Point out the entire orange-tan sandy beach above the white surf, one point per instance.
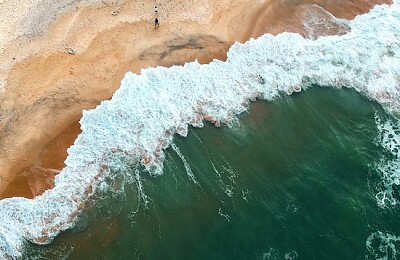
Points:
(43, 89)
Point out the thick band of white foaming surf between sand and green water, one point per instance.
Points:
(135, 127)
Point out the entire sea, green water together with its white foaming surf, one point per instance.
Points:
(150, 153)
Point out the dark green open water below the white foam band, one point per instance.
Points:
(294, 179)
